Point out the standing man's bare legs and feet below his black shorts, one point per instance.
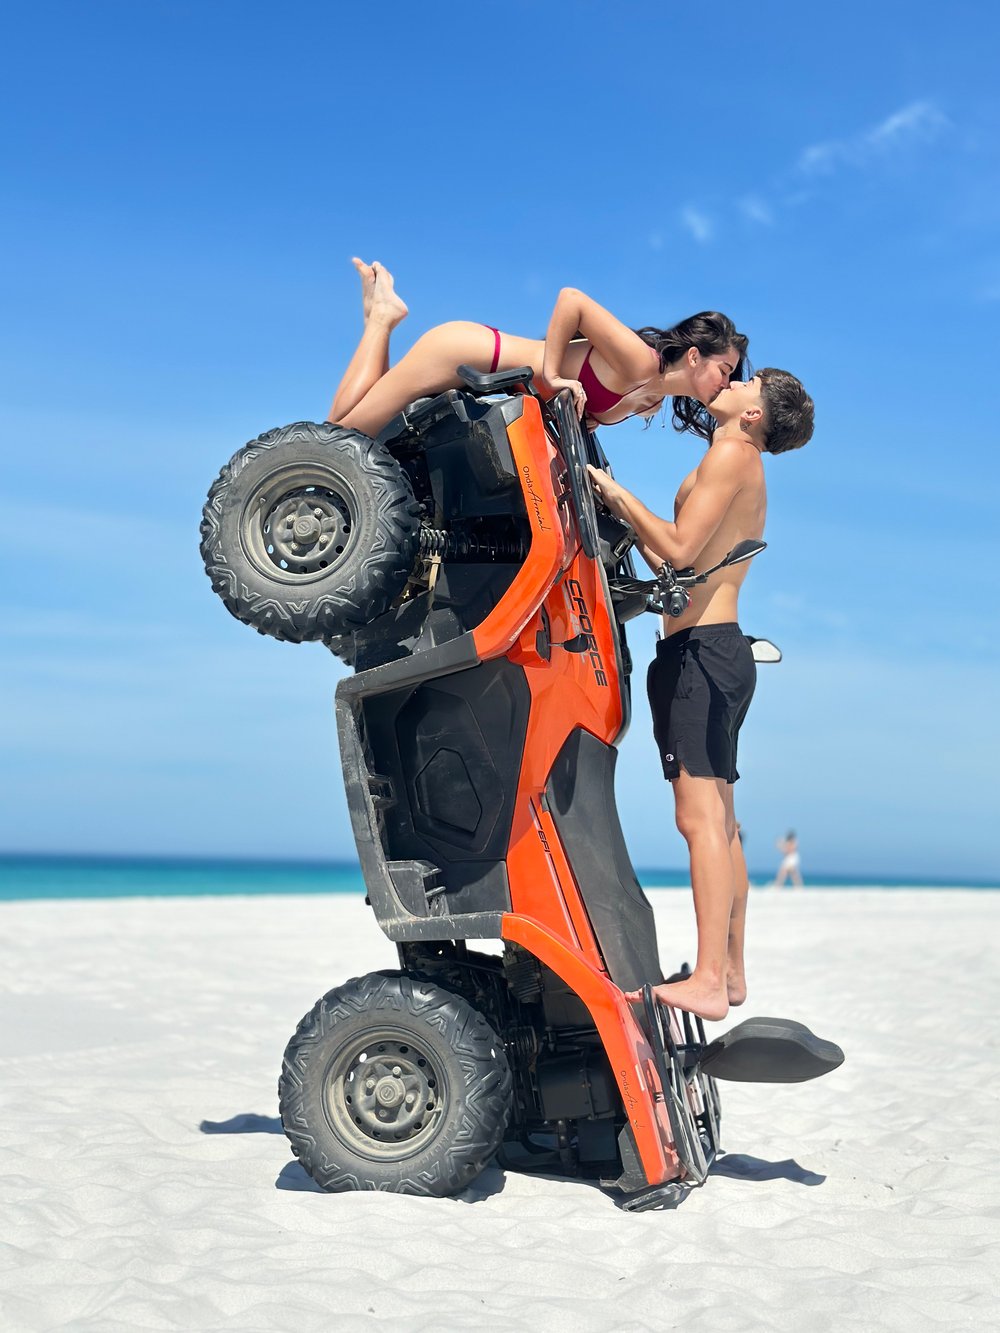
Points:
(709, 830)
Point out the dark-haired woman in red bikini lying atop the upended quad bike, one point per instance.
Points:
(614, 373)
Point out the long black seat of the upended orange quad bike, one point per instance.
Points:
(581, 798)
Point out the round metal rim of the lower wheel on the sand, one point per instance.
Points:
(386, 1095)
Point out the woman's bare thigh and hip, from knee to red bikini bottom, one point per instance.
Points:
(430, 367)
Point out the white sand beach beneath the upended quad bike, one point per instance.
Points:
(147, 1184)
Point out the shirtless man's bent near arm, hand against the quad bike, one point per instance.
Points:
(719, 479)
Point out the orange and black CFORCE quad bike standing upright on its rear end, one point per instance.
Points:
(461, 566)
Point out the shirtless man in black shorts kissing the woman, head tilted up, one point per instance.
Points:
(702, 680)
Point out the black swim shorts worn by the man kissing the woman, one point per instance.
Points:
(701, 684)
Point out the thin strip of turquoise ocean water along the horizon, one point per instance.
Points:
(25, 878)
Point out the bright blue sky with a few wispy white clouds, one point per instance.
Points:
(181, 197)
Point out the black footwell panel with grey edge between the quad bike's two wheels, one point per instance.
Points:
(433, 750)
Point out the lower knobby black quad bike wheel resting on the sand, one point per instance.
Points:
(393, 1083)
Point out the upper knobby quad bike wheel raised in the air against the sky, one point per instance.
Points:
(310, 533)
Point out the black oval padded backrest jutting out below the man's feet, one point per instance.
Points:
(770, 1051)
